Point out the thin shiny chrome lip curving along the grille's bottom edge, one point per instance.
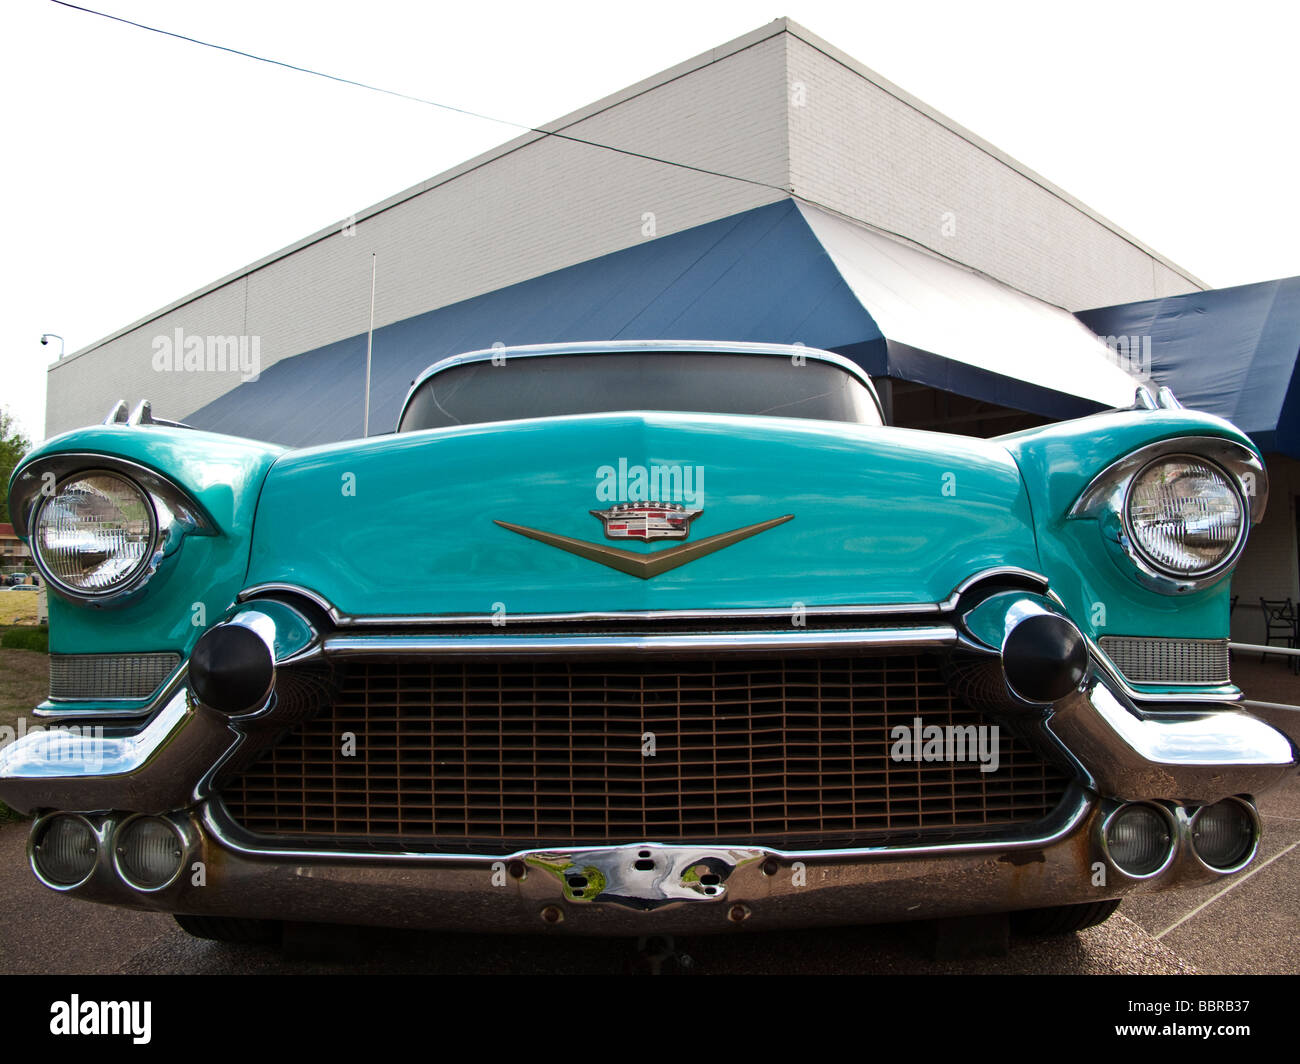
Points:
(216, 821)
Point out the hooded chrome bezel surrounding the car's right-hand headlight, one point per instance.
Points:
(1106, 500)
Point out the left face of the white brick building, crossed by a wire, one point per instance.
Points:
(534, 206)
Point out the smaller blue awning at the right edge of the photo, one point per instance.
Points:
(1229, 352)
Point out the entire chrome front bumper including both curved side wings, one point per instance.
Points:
(1176, 755)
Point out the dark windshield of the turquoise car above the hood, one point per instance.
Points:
(604, 383)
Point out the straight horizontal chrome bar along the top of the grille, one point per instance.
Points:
(714, 643)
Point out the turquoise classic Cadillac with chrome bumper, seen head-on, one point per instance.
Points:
(642, 638)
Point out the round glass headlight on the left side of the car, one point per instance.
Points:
(96, 534)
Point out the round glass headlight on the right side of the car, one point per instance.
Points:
(1186, 516)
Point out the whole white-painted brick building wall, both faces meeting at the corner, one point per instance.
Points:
(541, 204)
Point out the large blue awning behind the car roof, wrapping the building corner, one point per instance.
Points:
(781, 274)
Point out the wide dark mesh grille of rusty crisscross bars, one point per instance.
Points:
(513, 755)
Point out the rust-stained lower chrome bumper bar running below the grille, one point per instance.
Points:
(635, 889)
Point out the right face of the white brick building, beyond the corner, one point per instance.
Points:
(866, 149)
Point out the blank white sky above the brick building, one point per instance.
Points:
(138, 168)
